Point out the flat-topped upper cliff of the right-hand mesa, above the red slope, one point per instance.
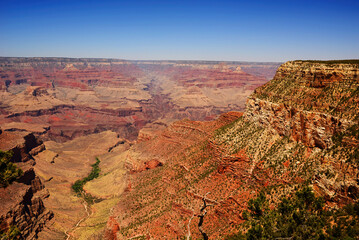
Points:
(309, 102)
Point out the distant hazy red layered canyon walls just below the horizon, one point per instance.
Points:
(76, 97)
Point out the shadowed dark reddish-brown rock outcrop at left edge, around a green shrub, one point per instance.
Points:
(22, 202)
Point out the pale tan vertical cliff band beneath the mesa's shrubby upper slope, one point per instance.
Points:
(314, 129)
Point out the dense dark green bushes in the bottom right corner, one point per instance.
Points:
(299, 216)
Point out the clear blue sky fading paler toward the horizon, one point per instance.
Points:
(268, 30)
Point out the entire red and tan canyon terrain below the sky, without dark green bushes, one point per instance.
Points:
(152, 188)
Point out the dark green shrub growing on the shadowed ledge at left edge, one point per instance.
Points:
(9, 172)
